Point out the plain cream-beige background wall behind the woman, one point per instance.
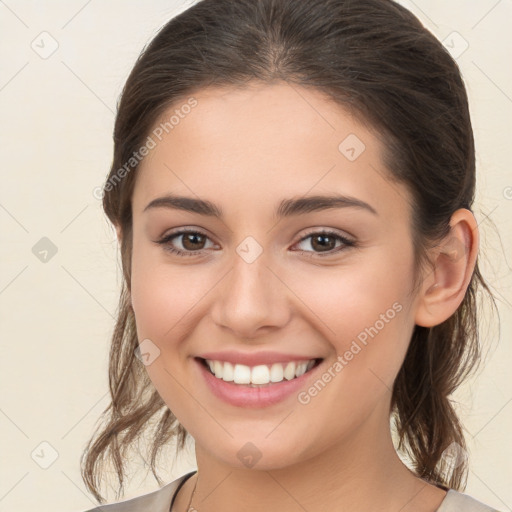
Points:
(63, 65)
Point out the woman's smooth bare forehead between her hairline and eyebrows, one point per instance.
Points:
(249, 146)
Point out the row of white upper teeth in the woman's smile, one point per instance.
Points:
(261, 374)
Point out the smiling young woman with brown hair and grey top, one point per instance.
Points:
(292, 188)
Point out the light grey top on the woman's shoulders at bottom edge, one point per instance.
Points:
(162, 500)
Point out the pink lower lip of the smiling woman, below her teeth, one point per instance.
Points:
(245, 396)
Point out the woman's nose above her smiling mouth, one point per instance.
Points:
(252, 299)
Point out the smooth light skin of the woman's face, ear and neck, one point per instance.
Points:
(245, 150)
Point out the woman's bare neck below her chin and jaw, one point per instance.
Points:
(362, 472)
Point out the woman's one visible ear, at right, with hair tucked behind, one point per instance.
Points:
(444, 287)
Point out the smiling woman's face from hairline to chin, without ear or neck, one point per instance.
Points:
(255, 281)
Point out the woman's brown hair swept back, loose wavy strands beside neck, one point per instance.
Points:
(377, 60)
